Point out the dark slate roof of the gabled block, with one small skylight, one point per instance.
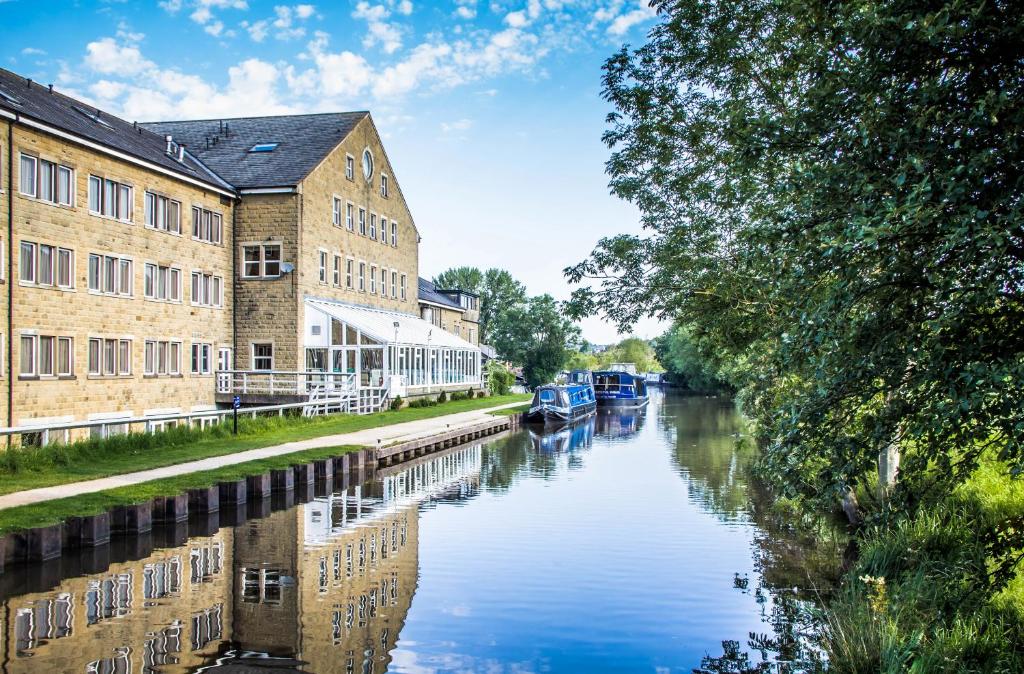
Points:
(224, 145)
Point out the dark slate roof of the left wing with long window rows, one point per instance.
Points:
(57, 110)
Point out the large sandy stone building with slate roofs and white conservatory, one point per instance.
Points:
(150, 269)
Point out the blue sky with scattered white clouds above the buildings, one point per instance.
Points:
(491, 112)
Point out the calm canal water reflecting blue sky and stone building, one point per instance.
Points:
(628, 543)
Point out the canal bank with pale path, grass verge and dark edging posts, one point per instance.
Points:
(41, 524)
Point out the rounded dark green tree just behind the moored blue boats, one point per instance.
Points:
(536, 334)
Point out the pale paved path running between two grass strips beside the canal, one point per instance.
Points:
(402, 433)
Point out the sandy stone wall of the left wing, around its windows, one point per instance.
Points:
(81, 314)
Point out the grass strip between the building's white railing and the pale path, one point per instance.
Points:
(35, 468)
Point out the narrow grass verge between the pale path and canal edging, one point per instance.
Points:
(53, 513)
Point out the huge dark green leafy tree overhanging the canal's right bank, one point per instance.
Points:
(832, 194)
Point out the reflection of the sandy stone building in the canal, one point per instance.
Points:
(323, 587)
